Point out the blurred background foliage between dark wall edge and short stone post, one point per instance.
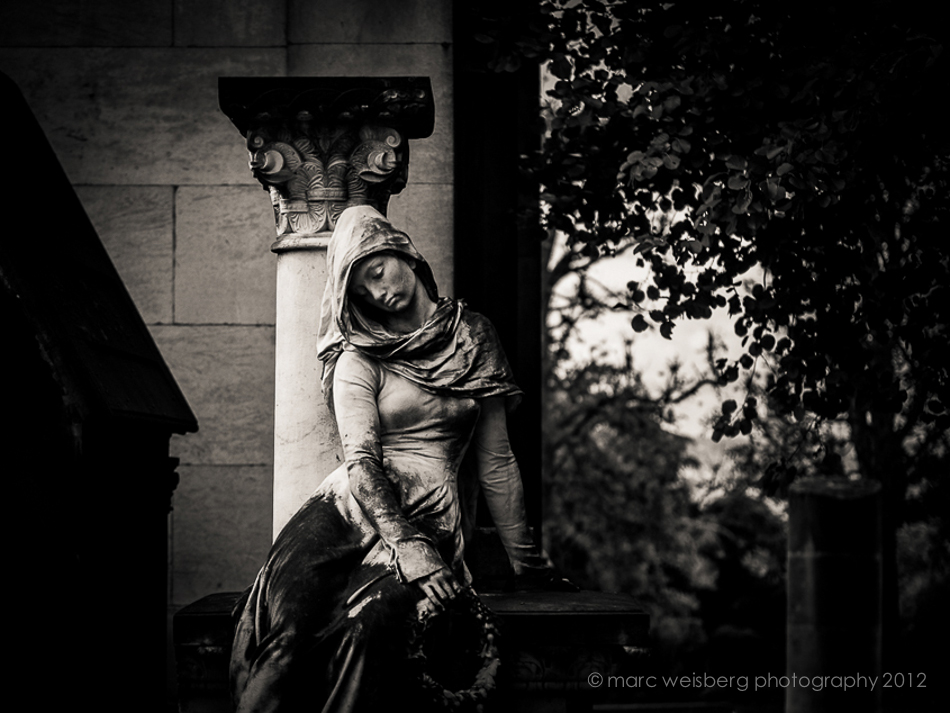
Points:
(620, 516)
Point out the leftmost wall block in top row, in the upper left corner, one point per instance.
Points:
(80, 23)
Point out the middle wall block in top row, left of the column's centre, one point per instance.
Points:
(230, 23)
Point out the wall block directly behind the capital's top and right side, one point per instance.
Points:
(430, 160)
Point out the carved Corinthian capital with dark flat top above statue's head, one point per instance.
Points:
(322, 144)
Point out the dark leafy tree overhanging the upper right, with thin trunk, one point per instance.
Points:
(807, 140)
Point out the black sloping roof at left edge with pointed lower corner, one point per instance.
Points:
(53, 265)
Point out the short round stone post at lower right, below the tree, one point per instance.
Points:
(834, 596)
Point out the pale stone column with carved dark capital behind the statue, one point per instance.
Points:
(317, 145)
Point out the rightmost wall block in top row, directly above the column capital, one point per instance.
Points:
(370, 21)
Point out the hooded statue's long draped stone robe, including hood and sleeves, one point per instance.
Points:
(326, 622)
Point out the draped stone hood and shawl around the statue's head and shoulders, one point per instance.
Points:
(455, 353)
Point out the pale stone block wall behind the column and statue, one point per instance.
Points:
(127, 95)
